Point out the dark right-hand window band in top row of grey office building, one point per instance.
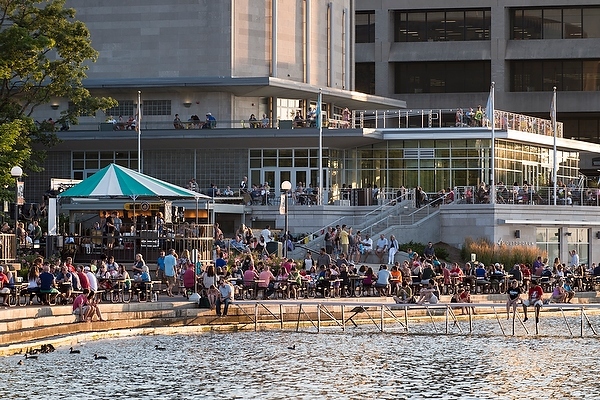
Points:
(555, 23)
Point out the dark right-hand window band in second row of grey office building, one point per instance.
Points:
(566, 75)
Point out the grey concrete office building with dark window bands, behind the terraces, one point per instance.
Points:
(446, 55)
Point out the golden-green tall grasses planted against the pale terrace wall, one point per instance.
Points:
(489, 253)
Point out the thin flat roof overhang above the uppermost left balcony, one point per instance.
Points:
(251, 87)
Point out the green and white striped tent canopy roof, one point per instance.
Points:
(114, 181)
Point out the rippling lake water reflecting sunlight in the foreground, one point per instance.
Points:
(358, 364)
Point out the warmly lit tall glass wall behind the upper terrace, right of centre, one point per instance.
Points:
(439, 164)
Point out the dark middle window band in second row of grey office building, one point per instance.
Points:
(442, 77)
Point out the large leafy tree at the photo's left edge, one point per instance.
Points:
(44, 53)
